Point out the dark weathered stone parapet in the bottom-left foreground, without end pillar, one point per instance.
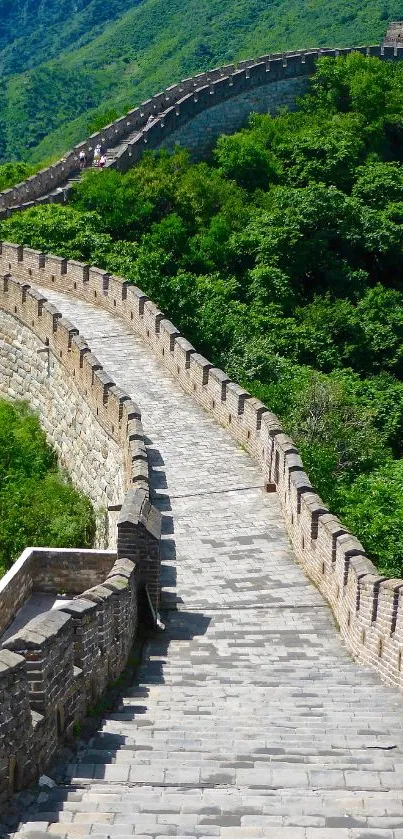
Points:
(56, 667)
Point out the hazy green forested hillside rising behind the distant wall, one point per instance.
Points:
(75, 62)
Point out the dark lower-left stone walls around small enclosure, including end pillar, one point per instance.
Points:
(59, 664)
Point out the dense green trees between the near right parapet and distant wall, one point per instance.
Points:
(281, 259)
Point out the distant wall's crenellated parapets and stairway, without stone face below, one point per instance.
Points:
(129, 135)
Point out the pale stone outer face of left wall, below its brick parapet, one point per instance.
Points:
(94, 461)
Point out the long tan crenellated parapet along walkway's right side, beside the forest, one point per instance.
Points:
(368, 608)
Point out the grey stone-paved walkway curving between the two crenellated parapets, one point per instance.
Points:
(249, 719)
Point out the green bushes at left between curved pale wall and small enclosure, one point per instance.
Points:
(38, 505)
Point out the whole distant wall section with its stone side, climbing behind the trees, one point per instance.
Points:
(256, 84)
